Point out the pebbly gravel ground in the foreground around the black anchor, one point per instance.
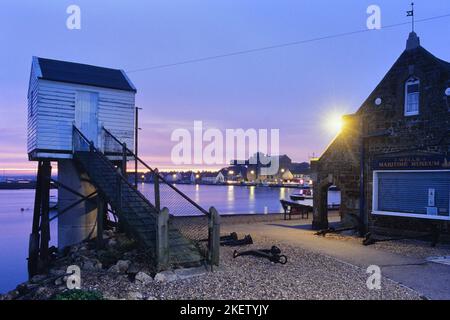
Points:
(307, 275)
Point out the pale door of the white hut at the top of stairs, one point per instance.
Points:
(86, 114)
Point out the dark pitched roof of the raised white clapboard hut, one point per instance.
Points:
(78, 73)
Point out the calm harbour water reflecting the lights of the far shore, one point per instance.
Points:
(16, 213)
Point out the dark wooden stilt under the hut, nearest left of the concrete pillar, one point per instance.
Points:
(45, 219)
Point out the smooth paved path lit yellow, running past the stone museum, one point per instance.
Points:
(399, 261)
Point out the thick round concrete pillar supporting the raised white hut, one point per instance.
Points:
(79, 223)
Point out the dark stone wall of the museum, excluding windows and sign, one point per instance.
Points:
(383, 130)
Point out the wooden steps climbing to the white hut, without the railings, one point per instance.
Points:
(134, 210)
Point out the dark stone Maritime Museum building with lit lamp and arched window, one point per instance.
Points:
(391, 159)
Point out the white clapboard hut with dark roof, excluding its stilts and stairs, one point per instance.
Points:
(62, 94)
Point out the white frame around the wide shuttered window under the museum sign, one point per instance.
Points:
(375, 210)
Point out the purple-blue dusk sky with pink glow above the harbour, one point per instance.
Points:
(294, 89)
